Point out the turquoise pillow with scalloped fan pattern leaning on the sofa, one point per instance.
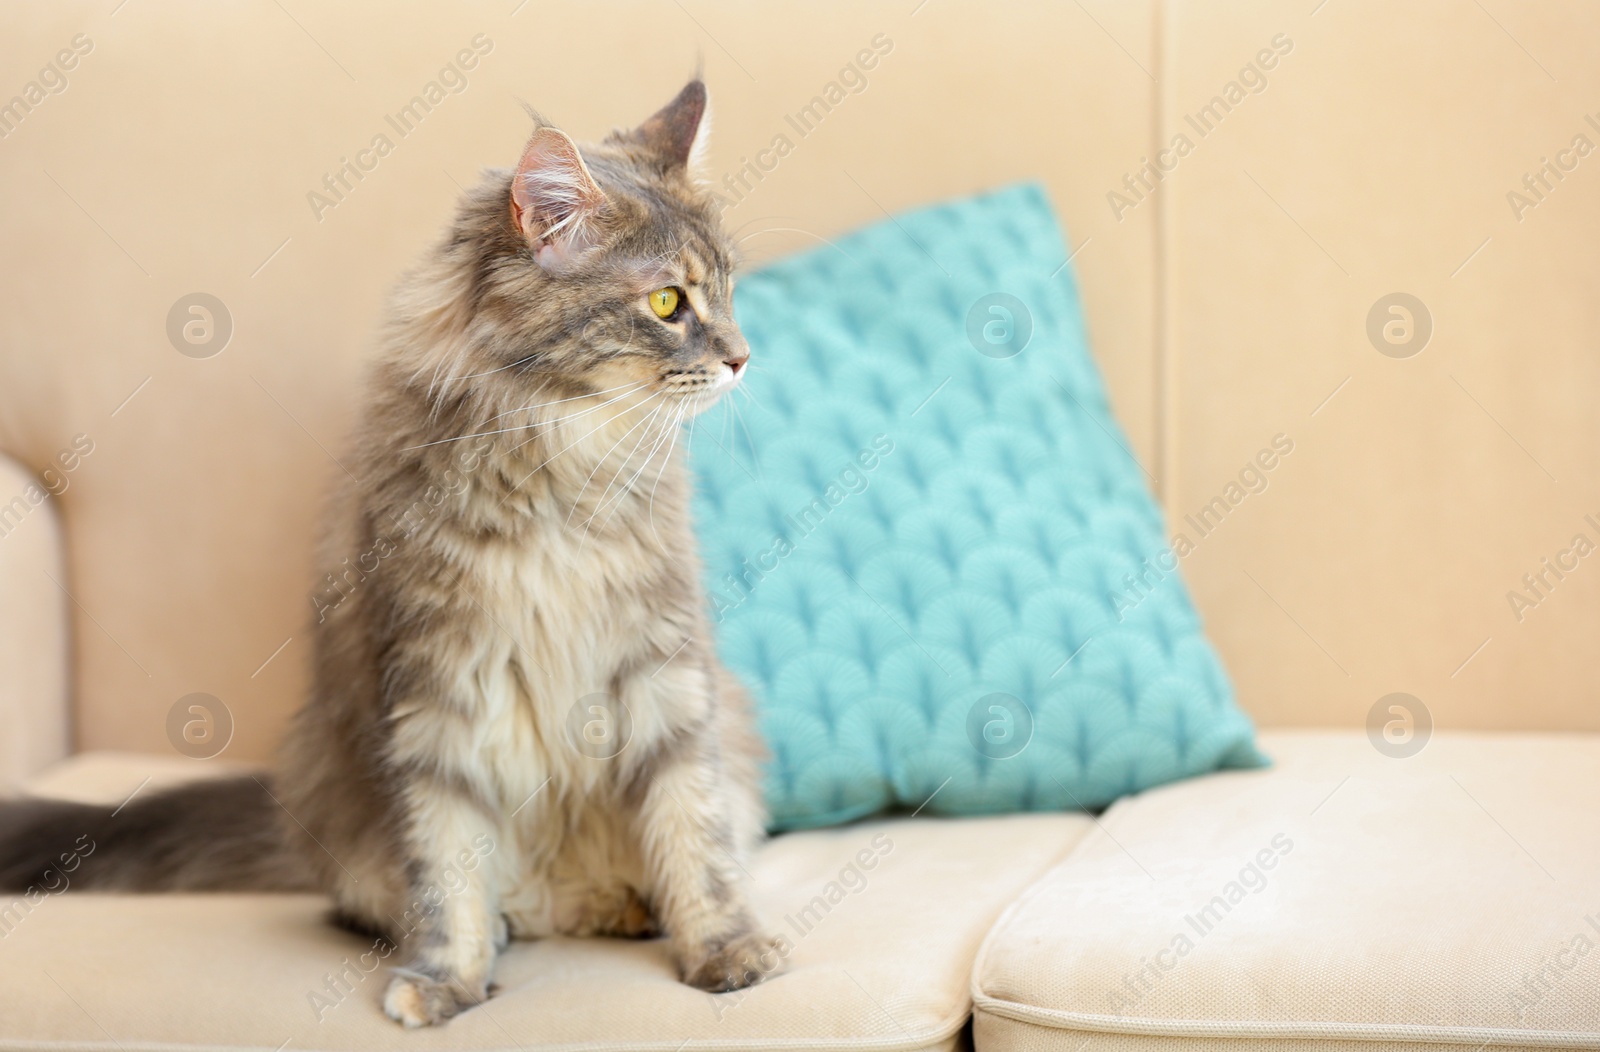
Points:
(929, 551)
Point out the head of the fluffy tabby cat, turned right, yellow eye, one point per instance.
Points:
(615, 273)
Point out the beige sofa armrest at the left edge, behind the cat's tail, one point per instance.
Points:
(34, 704)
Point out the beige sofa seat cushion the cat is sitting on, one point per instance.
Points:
(881, 957)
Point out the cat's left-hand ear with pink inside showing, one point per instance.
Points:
(554, 201)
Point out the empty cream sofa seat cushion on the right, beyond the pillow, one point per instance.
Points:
(1337, 901)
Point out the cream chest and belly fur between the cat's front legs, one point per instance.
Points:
(575, 631)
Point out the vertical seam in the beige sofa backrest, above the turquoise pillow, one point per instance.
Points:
(1162, 309)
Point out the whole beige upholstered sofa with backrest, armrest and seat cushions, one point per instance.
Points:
(1420, 540)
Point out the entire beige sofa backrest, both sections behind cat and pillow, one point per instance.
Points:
(180, 159)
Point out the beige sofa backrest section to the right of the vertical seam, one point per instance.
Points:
(1378, 161)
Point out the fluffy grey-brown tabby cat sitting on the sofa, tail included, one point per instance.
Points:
(519, 725)
